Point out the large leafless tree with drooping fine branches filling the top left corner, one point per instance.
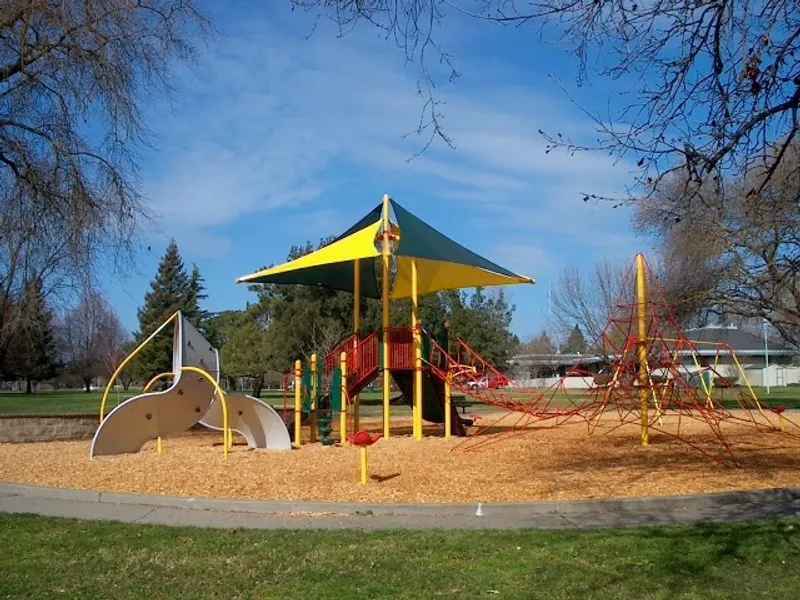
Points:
(74, 78)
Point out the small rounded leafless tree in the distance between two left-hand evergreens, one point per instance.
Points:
(87, 336)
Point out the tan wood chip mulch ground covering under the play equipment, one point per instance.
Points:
(553, 464)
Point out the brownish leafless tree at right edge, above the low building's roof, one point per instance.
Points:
(741, 252)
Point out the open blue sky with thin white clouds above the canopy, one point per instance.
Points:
(274, 138)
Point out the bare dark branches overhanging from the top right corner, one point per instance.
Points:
(718, 80)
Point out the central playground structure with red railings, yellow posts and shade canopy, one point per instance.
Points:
(424, 261)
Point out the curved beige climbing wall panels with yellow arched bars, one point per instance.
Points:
(194, 397)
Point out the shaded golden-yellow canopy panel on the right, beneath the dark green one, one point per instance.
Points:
(435, 275)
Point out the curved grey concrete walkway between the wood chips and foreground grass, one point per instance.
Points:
(251, 514)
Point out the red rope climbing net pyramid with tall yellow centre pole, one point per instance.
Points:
(648, 385)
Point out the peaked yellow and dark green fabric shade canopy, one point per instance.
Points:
(441, 262)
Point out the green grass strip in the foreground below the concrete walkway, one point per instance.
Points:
(50, 558)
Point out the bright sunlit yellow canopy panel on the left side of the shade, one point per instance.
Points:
(360, 244)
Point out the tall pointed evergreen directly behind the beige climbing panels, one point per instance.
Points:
(172, 289)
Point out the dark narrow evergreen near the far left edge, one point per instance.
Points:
(33, 347)
